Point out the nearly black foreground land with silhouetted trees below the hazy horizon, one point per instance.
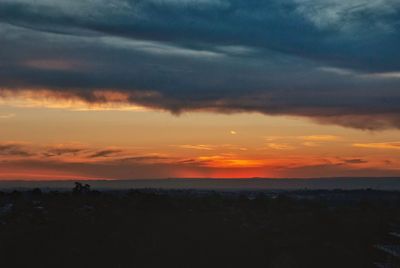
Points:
(195, 228)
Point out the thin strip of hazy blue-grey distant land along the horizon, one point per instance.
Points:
(218, 184)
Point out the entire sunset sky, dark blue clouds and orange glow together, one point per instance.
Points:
(128, 89)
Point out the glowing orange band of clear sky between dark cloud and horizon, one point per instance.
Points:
(50, 135)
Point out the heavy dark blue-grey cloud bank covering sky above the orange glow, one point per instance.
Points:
(331, 60)
